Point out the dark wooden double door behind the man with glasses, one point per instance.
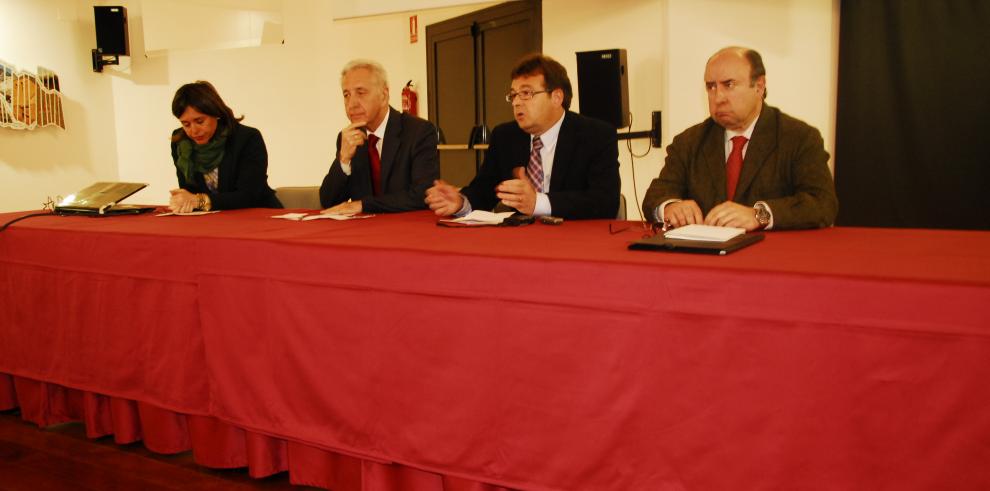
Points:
(469, 59)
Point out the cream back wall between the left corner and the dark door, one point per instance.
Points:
(290, 92)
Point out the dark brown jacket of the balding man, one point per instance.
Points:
(786, 166)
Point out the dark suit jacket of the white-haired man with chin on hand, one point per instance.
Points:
(410, 164)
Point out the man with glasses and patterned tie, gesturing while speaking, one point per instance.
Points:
(550, 161)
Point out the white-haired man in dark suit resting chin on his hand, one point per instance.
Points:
(393, 171)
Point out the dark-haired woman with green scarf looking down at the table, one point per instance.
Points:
(221, 164)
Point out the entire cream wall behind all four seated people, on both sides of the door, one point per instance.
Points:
(290, 92)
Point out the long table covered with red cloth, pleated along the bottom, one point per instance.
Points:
(391, 353)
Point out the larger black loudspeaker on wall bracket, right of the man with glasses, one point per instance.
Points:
(603, 87)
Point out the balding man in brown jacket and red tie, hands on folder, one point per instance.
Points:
(749, 165)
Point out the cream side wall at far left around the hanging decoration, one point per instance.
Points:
(58, 35)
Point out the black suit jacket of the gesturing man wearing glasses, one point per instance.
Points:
(585, 178)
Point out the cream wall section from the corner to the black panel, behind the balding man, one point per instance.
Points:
(798, 40)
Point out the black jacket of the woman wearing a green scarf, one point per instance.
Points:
(243, 172)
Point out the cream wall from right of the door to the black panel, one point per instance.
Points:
(668, 43)
